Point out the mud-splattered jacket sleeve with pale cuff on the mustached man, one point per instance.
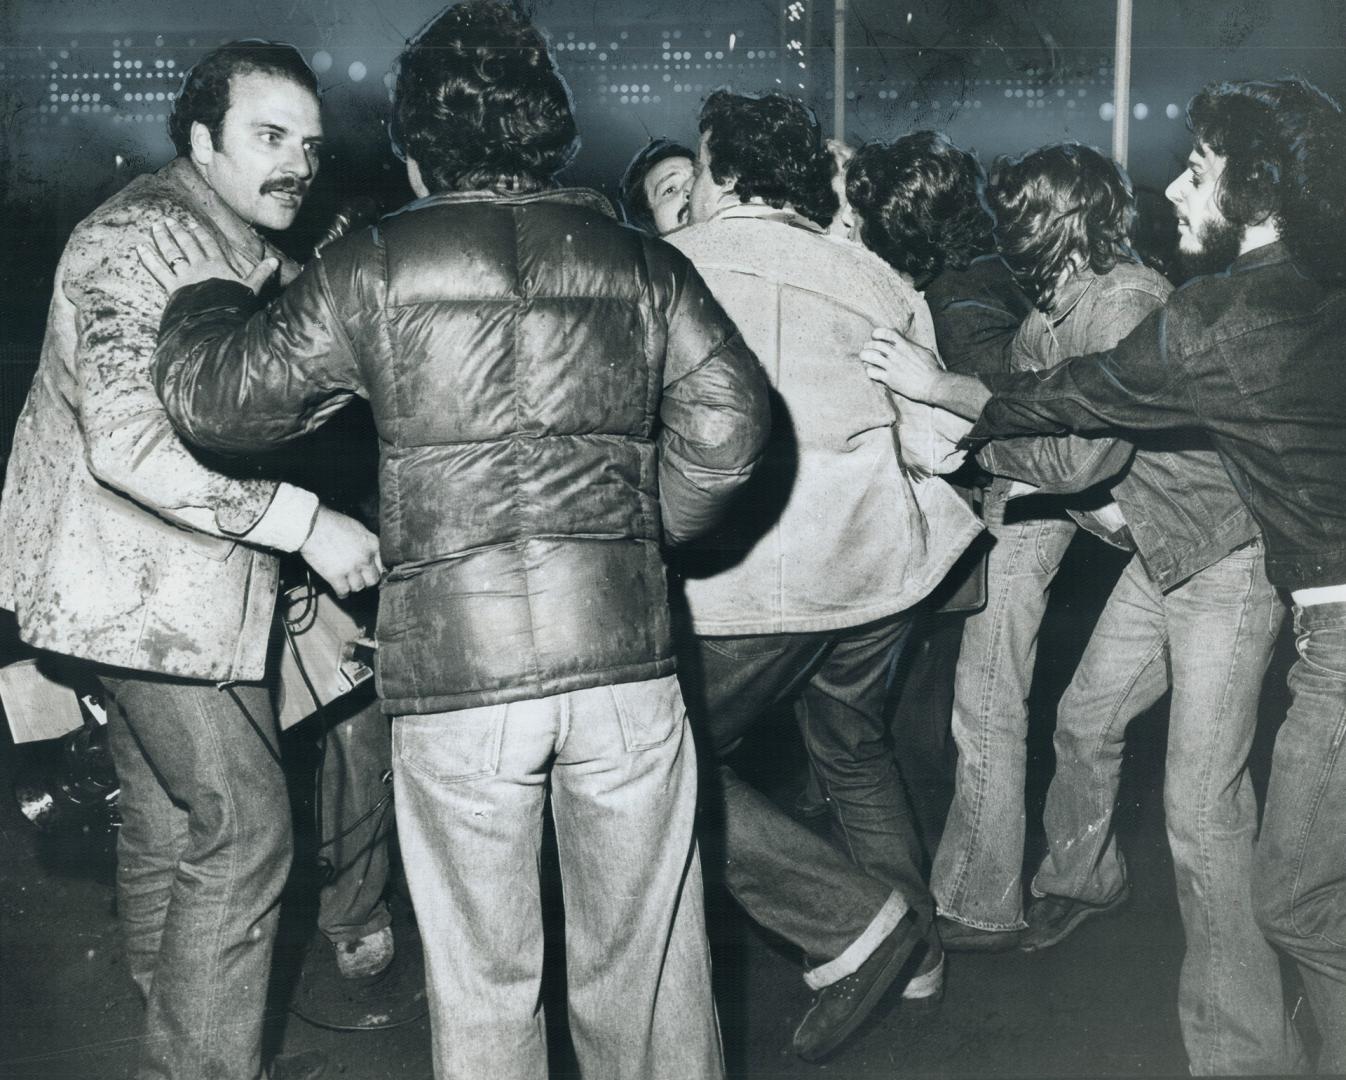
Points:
(130, 442)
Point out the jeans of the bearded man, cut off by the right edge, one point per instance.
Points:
(1300, 883)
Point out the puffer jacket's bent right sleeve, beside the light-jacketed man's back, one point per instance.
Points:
(715, 410)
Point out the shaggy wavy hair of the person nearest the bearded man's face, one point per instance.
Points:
(1056, 205)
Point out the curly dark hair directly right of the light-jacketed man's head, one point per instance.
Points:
(920, 204)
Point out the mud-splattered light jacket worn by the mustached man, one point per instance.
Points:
(118, 543)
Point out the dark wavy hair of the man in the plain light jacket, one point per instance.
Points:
(772, 149)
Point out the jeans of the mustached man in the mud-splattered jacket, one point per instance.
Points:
(203, 857)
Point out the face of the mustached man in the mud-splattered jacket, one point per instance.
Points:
(269, 149)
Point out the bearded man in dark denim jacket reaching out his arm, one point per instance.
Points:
(1251, 355)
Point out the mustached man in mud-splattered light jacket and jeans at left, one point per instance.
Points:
(158, 565)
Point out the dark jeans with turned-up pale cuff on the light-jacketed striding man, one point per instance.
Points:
(835, 902)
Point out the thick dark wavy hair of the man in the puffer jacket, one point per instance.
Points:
(480, 104)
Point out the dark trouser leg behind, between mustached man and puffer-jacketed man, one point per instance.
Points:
(355, 829)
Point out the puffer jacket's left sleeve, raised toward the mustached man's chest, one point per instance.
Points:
(242, 380)
